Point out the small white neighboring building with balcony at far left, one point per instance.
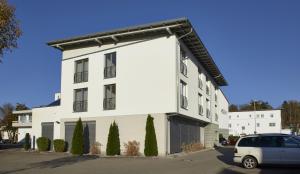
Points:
(24, 123)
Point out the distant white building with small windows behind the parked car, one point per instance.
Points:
(251, 122)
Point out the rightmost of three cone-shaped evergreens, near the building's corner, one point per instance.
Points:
(150, 138)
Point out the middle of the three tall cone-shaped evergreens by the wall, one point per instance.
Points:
(113, 140)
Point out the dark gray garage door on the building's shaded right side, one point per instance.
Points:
(183, 131)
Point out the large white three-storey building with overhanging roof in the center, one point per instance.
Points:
(162, 69)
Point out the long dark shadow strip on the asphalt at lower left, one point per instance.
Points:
(58, 162)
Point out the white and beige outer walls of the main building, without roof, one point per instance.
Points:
(147, 81)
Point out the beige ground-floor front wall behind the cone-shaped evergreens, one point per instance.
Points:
(131, 127)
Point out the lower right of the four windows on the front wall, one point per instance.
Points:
(109, 101)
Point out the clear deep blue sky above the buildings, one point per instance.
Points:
(256, 43)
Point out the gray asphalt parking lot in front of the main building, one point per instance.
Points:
(207, 162)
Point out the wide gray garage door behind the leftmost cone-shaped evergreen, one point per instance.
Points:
(89, 134)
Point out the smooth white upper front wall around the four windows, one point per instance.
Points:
(145, 78)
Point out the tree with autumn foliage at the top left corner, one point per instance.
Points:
(9, 28)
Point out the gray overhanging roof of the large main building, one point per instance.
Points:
(180, 27)
